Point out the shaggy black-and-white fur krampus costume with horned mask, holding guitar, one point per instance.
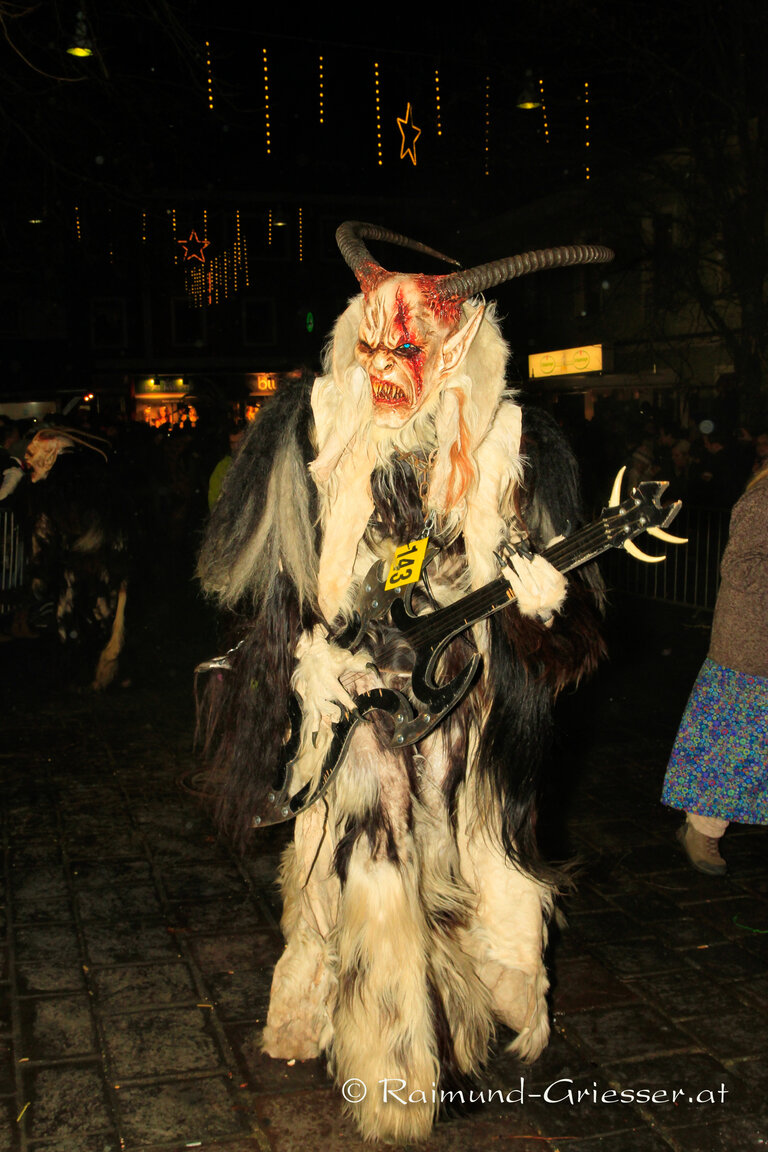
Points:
(415, 900)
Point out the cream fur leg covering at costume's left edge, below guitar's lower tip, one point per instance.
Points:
(303, 986)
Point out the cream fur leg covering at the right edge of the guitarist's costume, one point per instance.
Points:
(508, 937)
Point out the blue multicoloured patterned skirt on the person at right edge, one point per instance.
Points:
(720, 761)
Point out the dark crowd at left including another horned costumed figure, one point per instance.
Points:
(102, 517)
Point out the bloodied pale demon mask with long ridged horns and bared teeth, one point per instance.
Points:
(414, 332)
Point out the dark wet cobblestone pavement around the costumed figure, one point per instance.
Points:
(138, 949)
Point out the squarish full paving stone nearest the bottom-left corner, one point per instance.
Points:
(67, 1103)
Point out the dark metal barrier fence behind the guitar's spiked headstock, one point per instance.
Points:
(690, 575)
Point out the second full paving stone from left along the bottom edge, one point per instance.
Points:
(184, 1111)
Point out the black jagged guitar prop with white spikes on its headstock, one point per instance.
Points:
(390, 590)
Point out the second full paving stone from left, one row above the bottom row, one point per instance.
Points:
(166, 1043)
